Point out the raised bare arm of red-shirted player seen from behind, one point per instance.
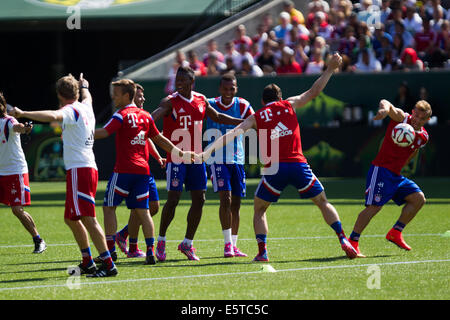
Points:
(301, 100)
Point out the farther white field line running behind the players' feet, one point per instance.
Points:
(214, 240)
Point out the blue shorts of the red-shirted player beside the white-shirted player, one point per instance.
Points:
(137, 189)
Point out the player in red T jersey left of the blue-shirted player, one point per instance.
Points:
(183, 113)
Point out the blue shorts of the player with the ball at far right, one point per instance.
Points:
(383, 185)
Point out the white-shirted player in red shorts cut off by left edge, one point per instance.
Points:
(14, 182)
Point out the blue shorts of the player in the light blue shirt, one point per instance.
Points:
(228, 177)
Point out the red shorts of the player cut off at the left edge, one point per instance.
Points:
(15, 190)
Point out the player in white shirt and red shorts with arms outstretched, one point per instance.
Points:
(78, 125)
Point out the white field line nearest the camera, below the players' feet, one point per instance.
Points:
(222, 274)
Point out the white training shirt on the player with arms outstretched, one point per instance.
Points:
(78, 135)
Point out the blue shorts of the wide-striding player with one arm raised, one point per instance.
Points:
(297, 174)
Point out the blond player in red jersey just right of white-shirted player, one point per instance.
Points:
(131, 176)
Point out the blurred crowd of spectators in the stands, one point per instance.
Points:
(371, 36)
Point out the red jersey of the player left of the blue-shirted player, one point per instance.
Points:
(183, 127)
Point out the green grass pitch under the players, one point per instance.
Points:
(303, 250)
